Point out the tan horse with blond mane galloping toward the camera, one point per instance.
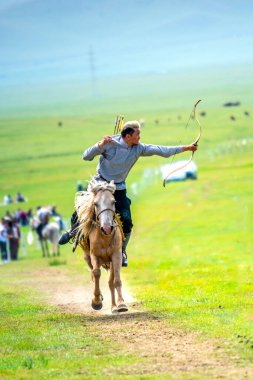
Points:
(100, 236)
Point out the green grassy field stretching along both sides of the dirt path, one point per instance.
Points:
(190, 257)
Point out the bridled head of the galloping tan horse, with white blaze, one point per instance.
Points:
(104, 204)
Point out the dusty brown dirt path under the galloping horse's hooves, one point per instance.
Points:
(162, 348)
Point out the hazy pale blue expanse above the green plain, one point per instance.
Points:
(56, 40)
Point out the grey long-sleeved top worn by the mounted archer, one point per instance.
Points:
(117, 158)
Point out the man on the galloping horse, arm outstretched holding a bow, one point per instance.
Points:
(118, 154)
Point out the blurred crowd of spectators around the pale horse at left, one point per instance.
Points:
(11, 225)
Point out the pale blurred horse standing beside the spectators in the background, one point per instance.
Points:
(51, 233)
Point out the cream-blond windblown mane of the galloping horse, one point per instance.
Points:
(85, 205)
